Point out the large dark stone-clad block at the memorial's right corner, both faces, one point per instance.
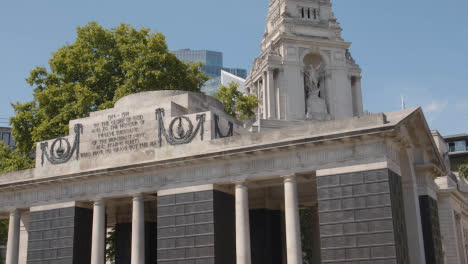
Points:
(362, 218)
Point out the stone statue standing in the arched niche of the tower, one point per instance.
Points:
(312, 84)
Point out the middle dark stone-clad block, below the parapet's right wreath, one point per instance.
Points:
(196, 227)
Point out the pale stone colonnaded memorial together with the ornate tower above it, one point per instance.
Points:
(169, 178)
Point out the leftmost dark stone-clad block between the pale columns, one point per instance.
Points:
(60, 236)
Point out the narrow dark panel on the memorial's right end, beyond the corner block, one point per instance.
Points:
(431, 230)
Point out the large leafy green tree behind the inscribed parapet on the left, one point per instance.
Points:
(100, 67)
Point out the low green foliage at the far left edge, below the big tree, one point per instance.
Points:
(12, 160)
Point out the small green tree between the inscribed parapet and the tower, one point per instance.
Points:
(236, 104)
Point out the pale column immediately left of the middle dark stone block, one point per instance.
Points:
(138, 230)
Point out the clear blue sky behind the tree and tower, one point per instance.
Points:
(412, 48)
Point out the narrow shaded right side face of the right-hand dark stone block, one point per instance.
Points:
(398, 217)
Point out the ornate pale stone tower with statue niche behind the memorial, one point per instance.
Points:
(305, 70)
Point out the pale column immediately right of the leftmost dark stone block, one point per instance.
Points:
(98, 244)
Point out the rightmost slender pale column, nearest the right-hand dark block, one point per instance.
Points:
(293, 229)
